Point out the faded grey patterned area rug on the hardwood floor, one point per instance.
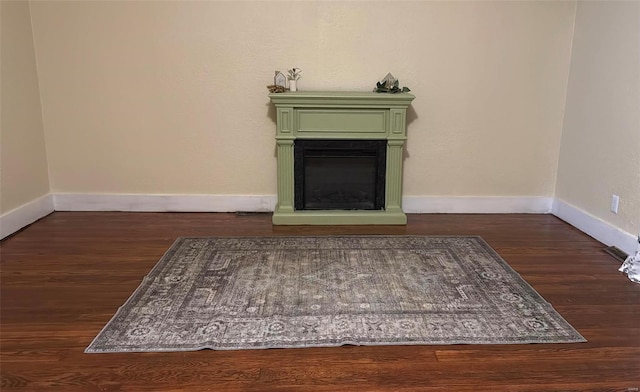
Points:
(227, 293)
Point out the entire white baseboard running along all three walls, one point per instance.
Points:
(20, 217)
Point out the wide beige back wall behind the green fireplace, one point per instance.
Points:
(170, 97)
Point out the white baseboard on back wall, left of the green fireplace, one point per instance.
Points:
(163, 203)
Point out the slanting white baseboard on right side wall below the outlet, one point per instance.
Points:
(595, 227)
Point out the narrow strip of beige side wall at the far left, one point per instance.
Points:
(23, 161)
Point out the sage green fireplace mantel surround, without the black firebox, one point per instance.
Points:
(340, 115)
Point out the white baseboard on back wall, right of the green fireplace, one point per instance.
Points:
(476, 205)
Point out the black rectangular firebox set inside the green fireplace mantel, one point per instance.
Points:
(339, 174)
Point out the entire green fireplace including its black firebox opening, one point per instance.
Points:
(342, 134)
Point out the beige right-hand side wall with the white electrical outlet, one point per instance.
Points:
(600, 153)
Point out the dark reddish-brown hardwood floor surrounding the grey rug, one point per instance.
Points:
(63, 277)
